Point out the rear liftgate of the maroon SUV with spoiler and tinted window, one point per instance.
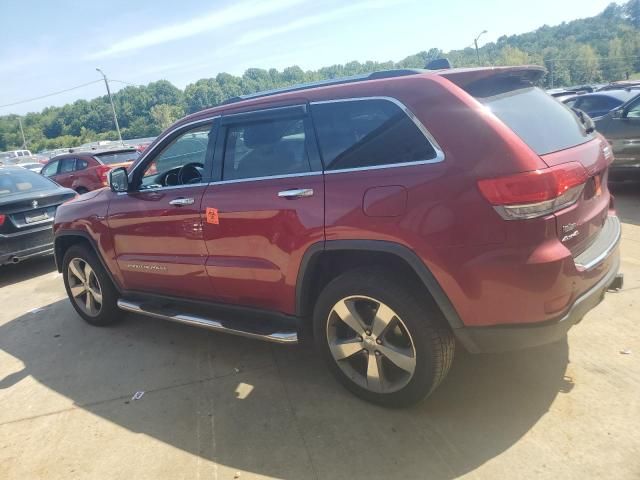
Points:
(577, 157)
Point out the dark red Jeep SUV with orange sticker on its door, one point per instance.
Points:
(391, 213)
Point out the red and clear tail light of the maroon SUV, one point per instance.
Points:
(537, 193)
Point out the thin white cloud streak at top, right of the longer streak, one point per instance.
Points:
(256, 36)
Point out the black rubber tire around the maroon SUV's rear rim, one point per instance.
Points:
(433, 341)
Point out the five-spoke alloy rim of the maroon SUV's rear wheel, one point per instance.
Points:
(371, 344)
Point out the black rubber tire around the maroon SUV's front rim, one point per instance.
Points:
(109, 312)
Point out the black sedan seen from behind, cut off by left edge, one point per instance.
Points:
(28, 204)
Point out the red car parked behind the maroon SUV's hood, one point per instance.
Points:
(86, 171)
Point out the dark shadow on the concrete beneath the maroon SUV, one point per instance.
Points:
(269, 409)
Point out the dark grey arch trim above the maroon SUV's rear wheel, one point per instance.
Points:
(311, 269)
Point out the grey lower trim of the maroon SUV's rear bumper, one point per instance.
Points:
(517, 337)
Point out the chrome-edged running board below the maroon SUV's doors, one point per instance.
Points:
(286, 337)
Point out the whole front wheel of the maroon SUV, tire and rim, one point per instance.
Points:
(88, 286)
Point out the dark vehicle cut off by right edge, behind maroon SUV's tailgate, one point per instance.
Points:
(621, 127)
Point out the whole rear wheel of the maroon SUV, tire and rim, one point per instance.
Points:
(382, 341)
